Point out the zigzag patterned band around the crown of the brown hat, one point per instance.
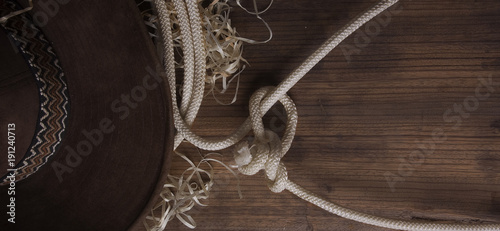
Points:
(52, 87)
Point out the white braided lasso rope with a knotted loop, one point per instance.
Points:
(267, 149)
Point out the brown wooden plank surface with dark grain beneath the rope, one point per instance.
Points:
(362, 116)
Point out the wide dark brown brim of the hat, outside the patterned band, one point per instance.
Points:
(118, 97)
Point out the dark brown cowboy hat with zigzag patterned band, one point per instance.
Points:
(85, 118)
